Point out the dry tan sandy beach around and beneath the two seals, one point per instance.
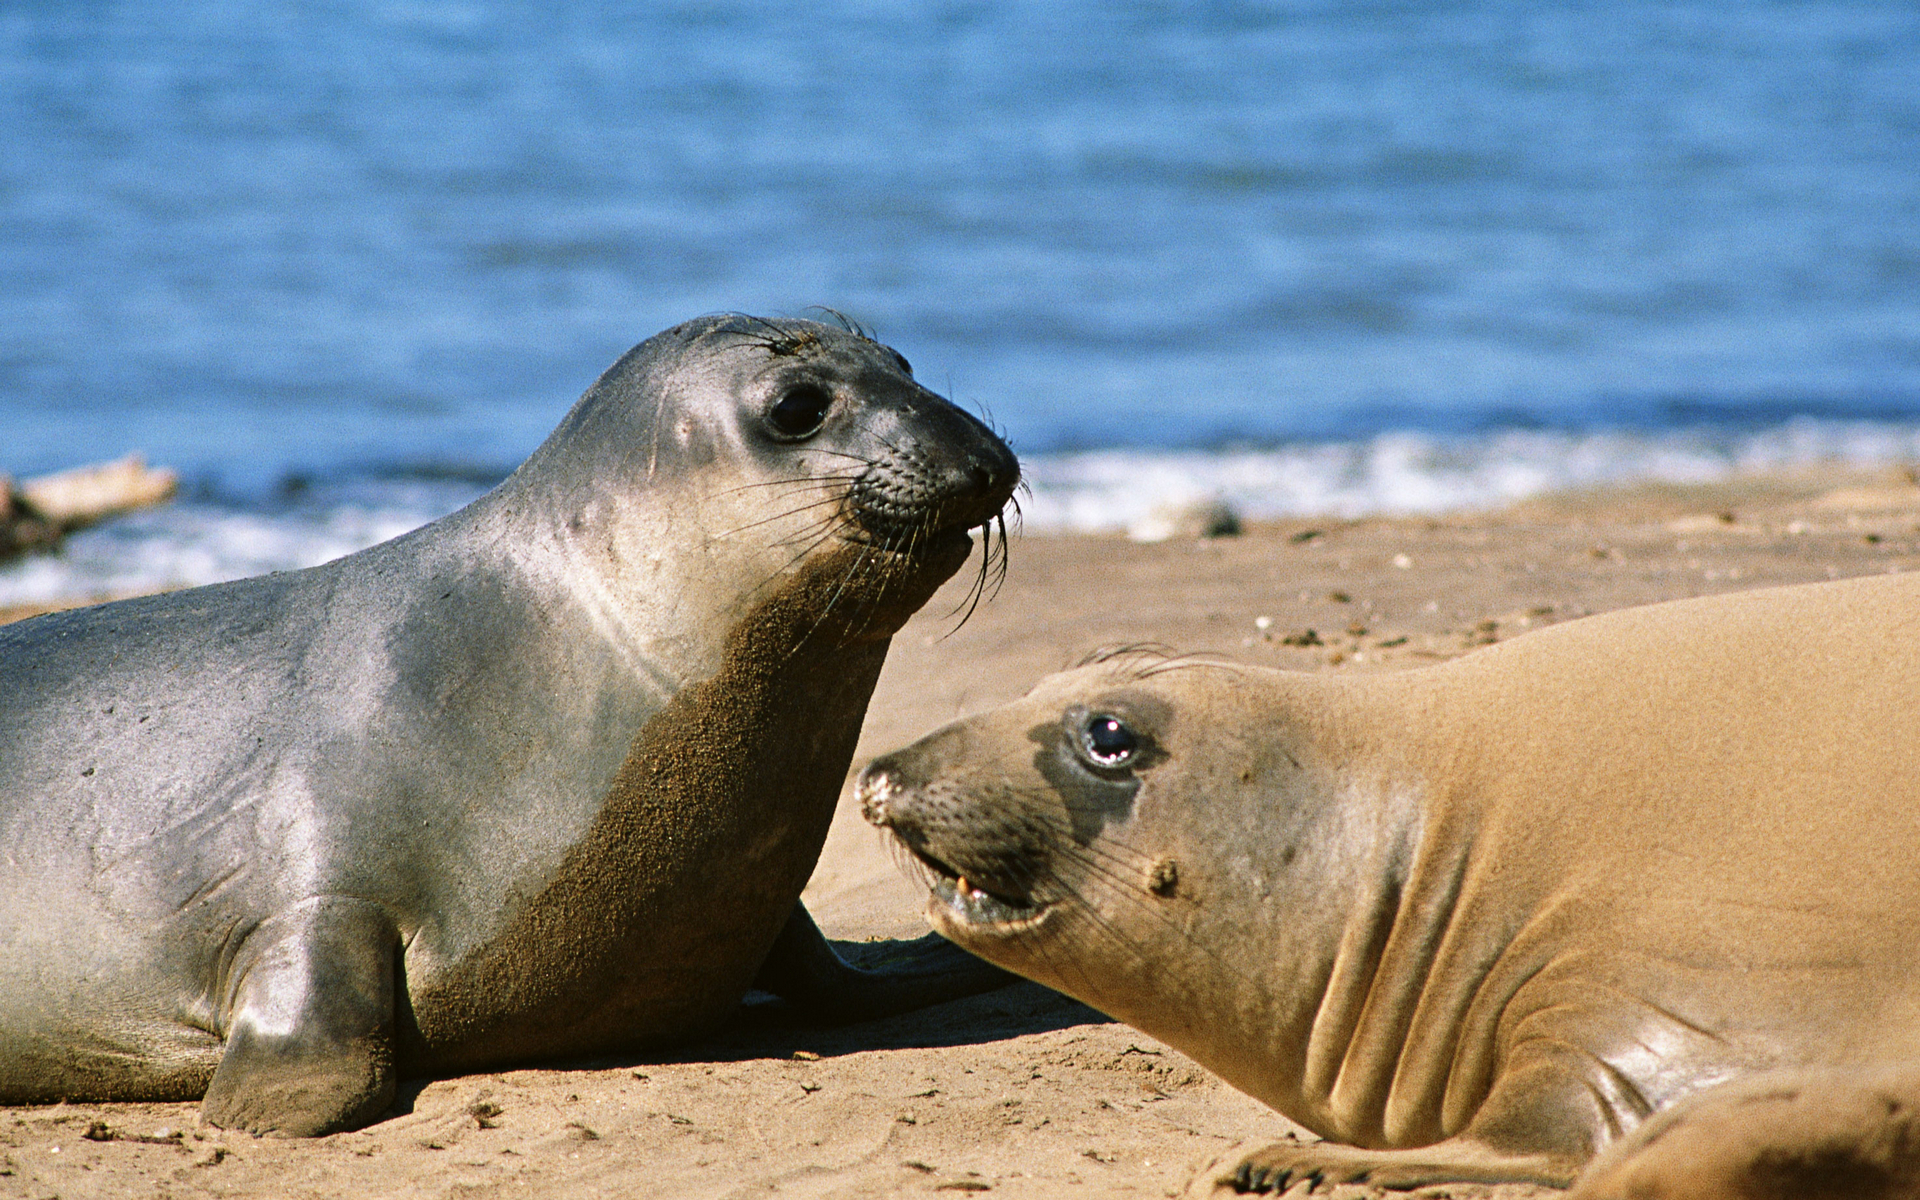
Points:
(1019, 1093)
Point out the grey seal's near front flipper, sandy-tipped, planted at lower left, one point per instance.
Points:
(310, 1030)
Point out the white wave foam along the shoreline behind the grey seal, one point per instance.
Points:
(199, 542)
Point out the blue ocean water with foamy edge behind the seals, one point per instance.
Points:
(347, 264)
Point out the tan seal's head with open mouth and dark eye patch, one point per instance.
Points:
(1153, 836)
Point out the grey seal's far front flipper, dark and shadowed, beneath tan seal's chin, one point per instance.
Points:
(900, 976)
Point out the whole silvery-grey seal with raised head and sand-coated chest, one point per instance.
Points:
(540, 779)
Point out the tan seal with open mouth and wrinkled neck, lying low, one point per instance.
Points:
(1476, 921)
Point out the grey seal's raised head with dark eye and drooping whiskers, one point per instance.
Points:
(800, 456)
